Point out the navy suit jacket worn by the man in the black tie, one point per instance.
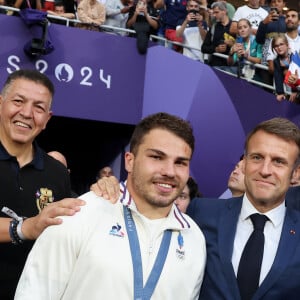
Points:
(218, 218)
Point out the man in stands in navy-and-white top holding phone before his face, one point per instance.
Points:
(193, 29)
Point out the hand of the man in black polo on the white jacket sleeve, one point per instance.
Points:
(34, 226)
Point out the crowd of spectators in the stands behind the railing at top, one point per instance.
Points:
(233, 39)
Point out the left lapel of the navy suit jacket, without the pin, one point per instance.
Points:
(227, 228)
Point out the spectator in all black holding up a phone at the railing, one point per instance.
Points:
(143, 18)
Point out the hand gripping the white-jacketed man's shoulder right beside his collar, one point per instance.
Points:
(108, 188)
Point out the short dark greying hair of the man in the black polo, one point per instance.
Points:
(32, 75)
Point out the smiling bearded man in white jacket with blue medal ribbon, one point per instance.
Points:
(116, 246)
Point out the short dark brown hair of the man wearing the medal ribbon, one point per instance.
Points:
(174, 124)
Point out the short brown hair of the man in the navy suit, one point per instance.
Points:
(281, 127)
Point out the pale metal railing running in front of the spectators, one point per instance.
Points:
(163, 41)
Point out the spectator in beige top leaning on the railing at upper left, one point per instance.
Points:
(91, 13)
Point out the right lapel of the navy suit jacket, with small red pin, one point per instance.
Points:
(288, 242)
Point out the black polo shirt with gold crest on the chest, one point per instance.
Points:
(26, 190)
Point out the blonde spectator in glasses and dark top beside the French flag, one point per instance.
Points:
(281, 64)
